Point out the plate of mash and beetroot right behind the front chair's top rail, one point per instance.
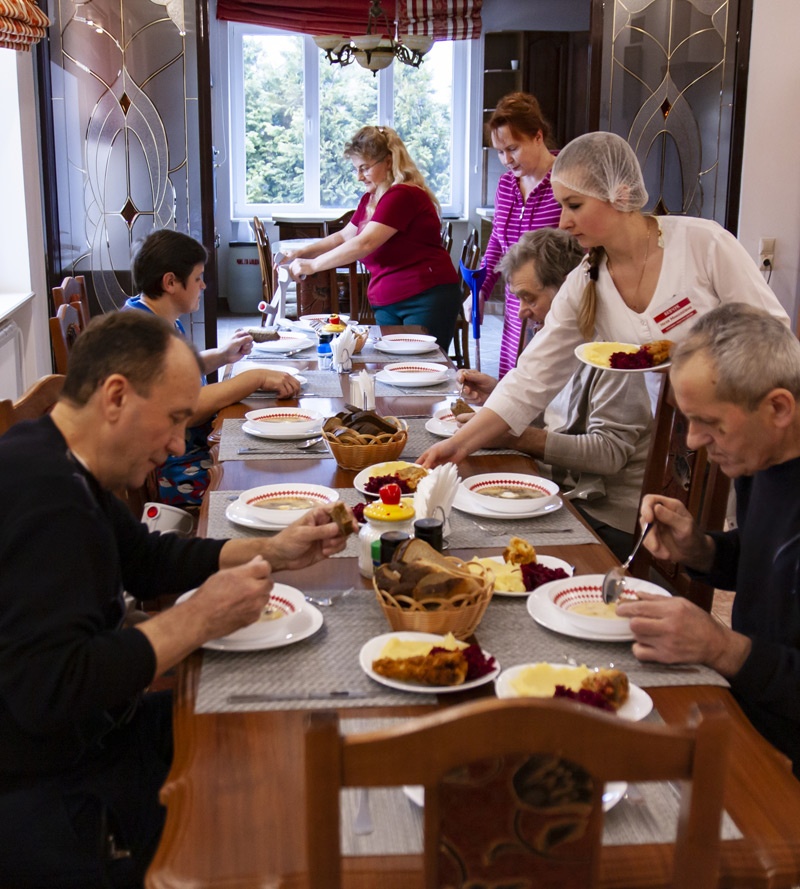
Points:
(606, 689)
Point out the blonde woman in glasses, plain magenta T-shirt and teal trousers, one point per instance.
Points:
(396, 233)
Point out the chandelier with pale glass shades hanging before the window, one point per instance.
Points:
(379, 47)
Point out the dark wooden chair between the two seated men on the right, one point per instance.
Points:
(673, 469)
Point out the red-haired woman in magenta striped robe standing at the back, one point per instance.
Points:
(524, 199)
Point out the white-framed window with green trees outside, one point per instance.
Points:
(292, 113)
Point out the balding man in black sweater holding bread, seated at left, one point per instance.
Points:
(83, 752)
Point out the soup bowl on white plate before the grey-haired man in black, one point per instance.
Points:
(575, 607)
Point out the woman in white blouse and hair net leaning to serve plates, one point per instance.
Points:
(644, 278)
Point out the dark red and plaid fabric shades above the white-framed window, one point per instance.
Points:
(441, 19)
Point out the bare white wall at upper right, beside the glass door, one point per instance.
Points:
(770, 205)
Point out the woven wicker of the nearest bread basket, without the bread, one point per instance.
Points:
(459, 615)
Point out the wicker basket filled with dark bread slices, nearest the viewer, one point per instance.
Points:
(424, 591)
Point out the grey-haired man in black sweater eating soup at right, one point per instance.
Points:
(737, 380)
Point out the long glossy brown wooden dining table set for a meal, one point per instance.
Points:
(234, 796)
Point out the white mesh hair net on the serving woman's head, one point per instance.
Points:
(603, 166)
